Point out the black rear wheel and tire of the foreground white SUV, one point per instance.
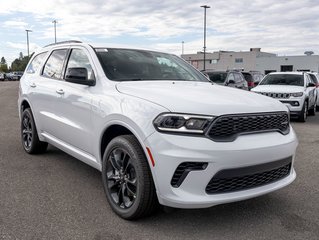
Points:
(29, 135)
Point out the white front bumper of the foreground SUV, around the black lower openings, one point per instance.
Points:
(247, 150)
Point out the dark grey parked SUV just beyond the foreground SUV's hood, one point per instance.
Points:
(228, 78)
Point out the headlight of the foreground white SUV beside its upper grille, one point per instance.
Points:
(182, 123)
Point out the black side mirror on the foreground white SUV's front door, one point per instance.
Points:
(79, 76)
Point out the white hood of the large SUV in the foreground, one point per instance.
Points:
(200, 97)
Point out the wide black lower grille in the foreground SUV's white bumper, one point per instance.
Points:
(232, 180)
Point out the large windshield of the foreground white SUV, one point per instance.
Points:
(134, 65)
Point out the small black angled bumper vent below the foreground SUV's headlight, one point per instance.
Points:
(183, 169)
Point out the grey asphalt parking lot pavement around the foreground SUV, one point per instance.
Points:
(55, 196)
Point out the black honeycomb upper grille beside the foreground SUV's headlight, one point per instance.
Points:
(226, 128)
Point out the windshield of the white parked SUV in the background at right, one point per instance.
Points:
(283, 79)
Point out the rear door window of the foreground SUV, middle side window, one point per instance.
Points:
(54, 65)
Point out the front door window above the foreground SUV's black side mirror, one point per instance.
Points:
(78, 59)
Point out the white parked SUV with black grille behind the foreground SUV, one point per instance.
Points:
(295, 89)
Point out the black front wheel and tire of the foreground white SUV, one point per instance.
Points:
(127, 179)
